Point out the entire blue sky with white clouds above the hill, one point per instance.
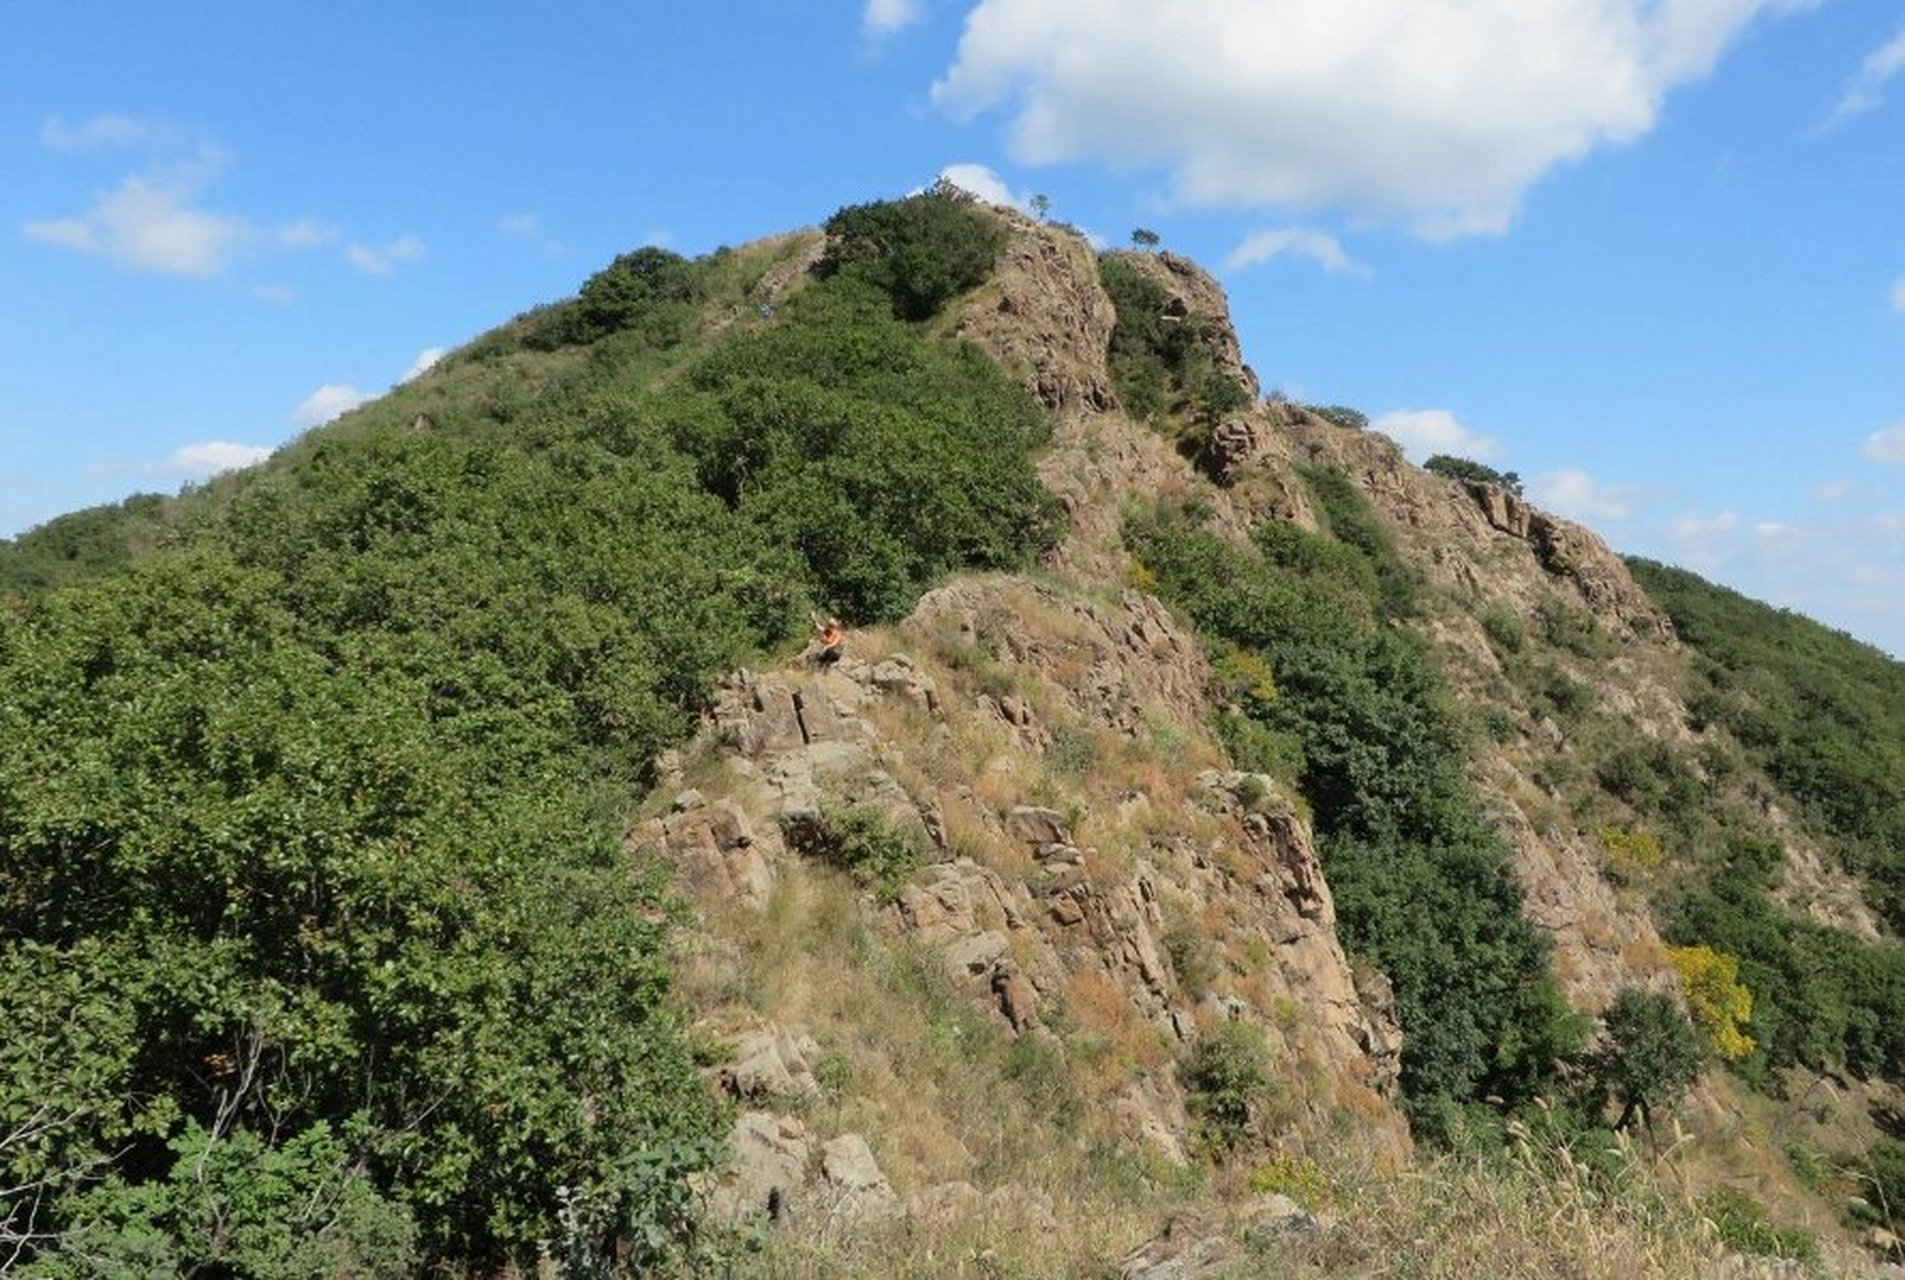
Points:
(1645, 252)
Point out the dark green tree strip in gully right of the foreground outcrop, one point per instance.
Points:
(1422, 885)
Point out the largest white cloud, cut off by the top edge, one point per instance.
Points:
(1363, 106)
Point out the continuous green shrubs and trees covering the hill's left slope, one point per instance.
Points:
(317, 923)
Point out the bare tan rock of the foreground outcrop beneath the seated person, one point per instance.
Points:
(1032, 913)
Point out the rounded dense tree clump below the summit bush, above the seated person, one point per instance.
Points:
(883, 460)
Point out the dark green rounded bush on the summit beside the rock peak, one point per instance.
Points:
(919, 252)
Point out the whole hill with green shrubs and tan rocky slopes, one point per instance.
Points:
(433, 850)
